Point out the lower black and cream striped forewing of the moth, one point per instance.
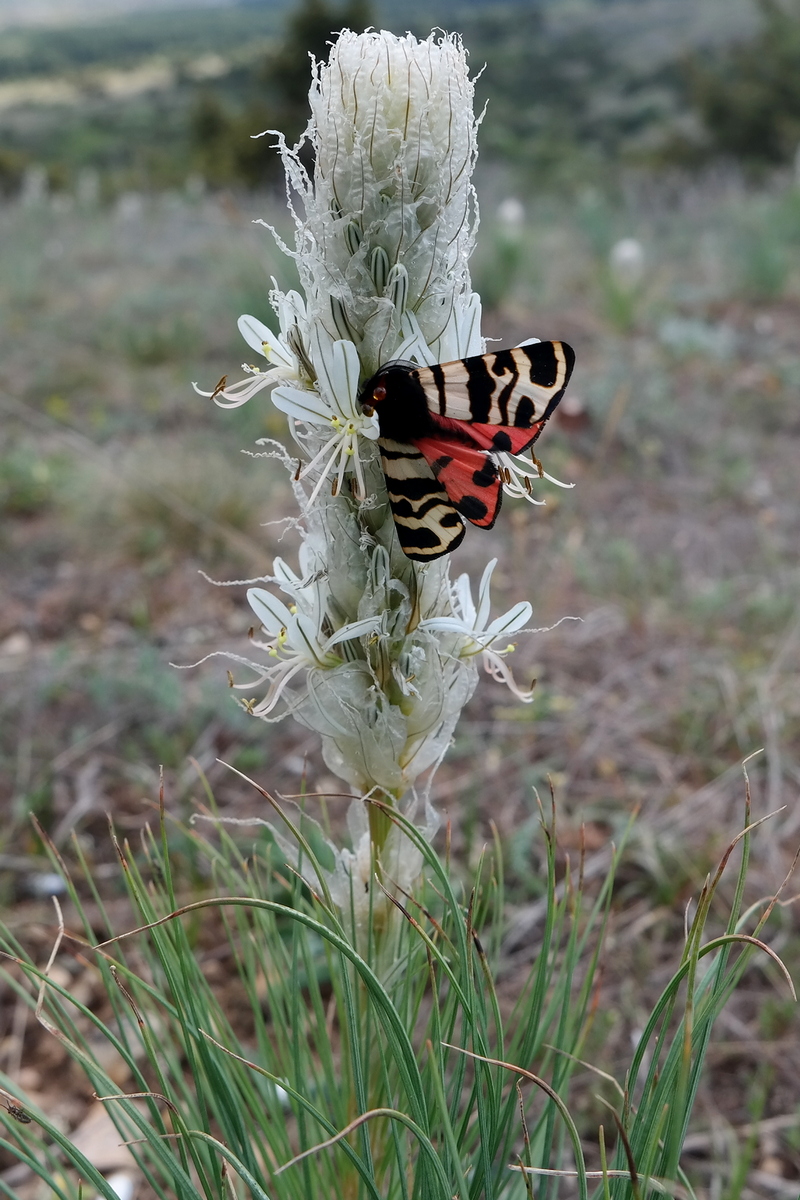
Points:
(425, 518)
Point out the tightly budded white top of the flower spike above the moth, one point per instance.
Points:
(387, 224)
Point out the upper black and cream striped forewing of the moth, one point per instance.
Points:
(518, 388)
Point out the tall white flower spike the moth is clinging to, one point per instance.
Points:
(375, 652)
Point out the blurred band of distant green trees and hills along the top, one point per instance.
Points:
(154, 100)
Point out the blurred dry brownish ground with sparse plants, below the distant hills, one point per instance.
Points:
(678, 549)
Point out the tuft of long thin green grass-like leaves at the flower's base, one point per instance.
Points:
(369, 1055)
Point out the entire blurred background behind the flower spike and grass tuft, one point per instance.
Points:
(640, 189)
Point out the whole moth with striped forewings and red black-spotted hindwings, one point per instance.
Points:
(442, 428)
